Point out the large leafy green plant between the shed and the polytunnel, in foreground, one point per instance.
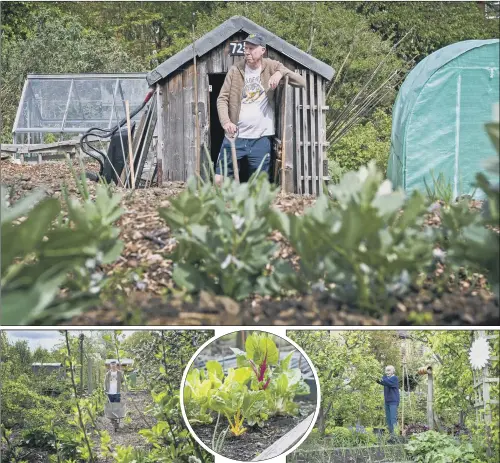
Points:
(359, 245)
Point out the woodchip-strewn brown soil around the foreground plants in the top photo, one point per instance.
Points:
(142, 275)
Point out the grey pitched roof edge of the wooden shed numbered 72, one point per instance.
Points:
(228, 28)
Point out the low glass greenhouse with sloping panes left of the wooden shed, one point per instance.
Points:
(67, 104)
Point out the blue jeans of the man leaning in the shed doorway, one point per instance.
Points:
(255, 150)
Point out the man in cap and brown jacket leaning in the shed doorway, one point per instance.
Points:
(246, 106)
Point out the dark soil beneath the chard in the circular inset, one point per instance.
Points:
(255, 440)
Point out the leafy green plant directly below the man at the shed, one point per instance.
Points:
(222, 236)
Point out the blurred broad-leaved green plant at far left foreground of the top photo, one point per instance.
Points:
(44, 251)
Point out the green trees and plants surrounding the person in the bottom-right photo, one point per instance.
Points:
(351, 424)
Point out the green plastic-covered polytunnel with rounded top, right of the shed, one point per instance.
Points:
(439, 116)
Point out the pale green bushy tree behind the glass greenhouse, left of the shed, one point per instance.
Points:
(55, 44)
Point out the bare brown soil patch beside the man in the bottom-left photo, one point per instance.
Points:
(128, 431)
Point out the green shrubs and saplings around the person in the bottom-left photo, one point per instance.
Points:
(68, 425)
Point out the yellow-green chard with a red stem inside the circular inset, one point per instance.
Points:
(260, 387)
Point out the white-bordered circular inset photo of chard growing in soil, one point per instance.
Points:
(250, 396)
